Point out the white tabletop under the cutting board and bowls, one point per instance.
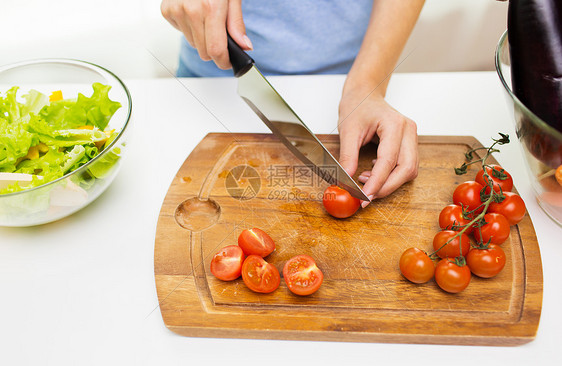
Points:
(81, 290)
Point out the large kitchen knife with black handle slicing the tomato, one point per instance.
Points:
(272, 109)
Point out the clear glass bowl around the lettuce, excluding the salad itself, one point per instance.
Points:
(68, 194)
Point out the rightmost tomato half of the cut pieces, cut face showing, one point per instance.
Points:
(302, 276)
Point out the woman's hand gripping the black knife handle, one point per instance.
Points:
(204, 24)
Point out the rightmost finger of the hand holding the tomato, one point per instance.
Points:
(408, 162)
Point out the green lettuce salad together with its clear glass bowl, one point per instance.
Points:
(61, 141)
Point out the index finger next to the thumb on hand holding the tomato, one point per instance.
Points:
(387, 157)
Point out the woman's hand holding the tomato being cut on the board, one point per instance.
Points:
(363, 120)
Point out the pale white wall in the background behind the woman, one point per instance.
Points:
(131, 38)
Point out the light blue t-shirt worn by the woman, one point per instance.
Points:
(294, 37)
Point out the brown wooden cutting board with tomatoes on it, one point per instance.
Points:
(256, 182)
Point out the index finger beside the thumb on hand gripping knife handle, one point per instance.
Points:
(215, 34)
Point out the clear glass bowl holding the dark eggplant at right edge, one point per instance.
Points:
(541, 143)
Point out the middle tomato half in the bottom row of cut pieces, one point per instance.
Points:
(259, 275)
